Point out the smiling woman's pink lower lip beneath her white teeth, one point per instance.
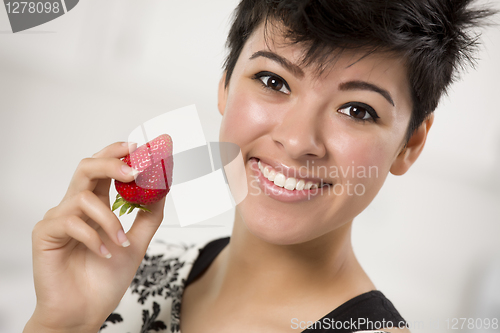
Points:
(276, 192)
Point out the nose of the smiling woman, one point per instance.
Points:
(299, 133)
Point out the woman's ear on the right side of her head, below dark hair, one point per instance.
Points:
(412, 150)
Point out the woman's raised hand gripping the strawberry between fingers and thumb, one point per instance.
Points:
(82, 260)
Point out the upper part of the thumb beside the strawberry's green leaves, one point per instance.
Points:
(145, 225)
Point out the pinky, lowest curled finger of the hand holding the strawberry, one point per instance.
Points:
(56, 233)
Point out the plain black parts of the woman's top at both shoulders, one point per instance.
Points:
(368, 311)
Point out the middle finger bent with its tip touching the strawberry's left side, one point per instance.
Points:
(91, 170)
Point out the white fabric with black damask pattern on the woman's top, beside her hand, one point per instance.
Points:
(153, 301)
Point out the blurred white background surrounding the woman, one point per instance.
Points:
(430, 240)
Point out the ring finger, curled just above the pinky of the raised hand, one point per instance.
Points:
(87, 204)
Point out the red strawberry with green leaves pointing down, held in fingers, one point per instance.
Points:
(155, 163)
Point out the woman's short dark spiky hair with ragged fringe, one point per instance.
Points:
(435, 37)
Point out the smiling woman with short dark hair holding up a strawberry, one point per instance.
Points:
(324, 98)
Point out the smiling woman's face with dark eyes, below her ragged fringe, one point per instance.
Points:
(345, 128)
